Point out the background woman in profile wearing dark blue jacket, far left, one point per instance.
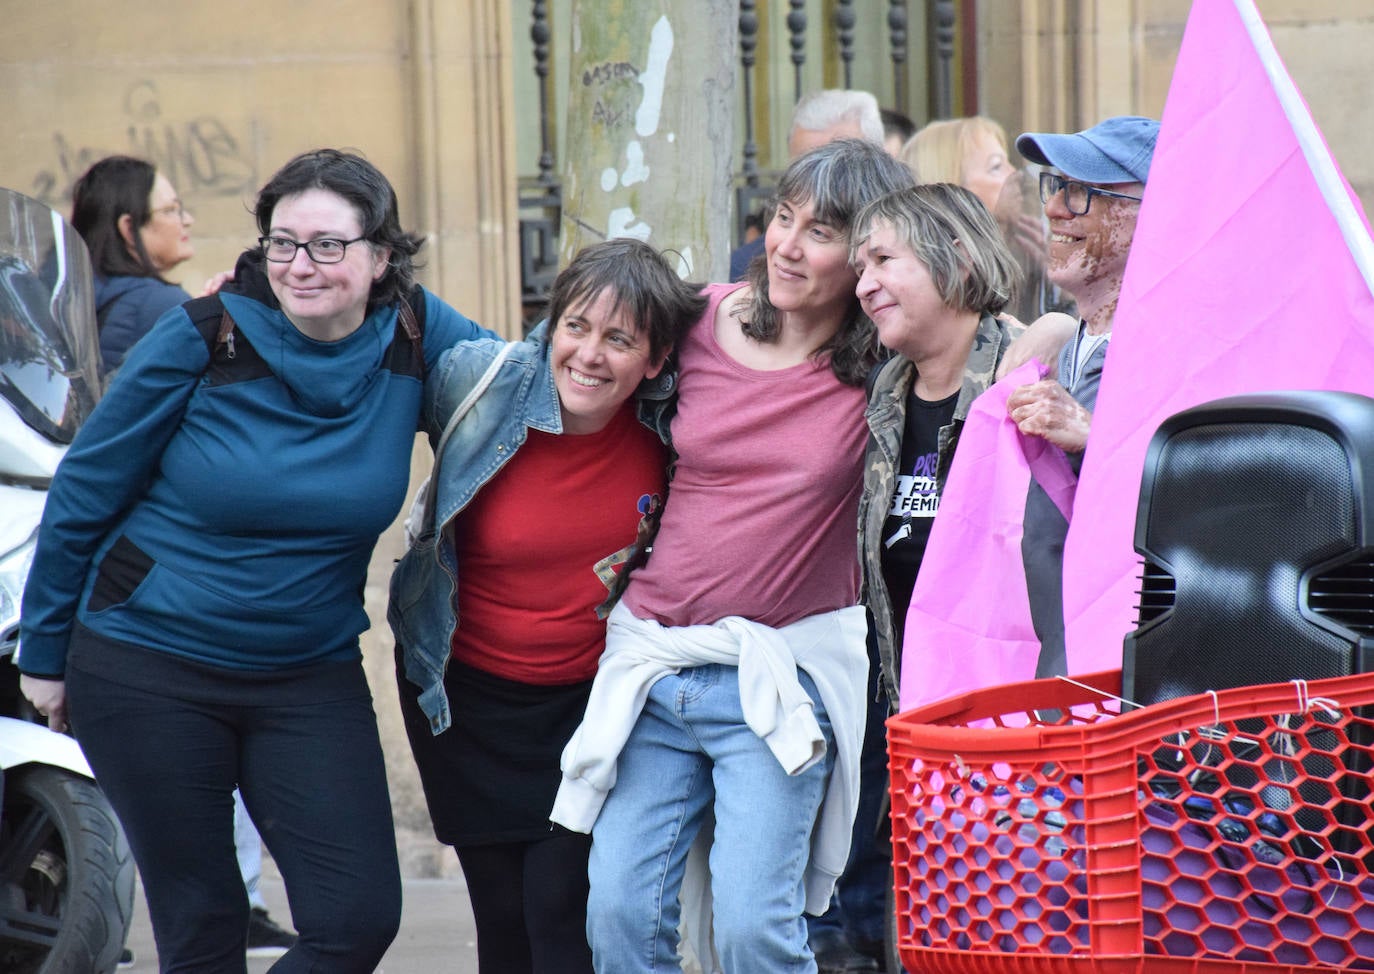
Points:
(137, 230)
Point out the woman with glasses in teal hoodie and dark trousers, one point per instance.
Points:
(197, 590)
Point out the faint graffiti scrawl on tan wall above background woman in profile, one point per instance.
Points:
(200, 155)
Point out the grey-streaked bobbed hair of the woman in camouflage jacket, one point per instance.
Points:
(950, 231)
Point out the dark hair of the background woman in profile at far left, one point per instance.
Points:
(112, 188)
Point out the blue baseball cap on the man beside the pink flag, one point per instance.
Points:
(1118, 150)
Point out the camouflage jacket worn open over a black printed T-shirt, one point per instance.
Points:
(887, 414)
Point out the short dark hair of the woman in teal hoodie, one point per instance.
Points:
(369, 193)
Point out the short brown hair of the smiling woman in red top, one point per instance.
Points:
(641, 282)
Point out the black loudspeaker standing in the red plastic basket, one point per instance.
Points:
(1257, 525)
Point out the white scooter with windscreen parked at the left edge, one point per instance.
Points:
(67, 874)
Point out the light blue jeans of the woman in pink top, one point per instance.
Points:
(692, 754)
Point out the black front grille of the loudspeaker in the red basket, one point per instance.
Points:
(1237, 516)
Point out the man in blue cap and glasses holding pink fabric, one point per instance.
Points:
(1092, 189)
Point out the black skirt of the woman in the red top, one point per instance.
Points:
(493, 775)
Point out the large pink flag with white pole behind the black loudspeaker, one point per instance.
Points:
(1252, 270)
